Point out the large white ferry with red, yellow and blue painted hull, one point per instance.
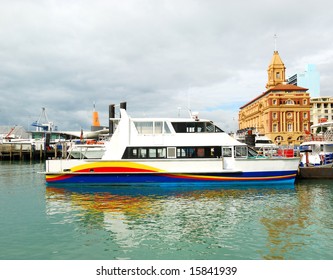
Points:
(172, 150)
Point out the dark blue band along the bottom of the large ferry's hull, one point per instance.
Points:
(287, 177)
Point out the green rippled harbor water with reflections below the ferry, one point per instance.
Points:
(39, 222)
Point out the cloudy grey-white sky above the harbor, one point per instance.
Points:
(161, 56)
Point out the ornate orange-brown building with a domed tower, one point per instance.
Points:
(282, 112)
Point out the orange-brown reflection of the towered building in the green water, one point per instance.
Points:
(285, 227)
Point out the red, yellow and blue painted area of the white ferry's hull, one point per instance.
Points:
(95, 174)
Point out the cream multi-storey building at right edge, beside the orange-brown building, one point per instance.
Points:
(321, 109)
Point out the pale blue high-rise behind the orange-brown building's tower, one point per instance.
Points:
(309, 79)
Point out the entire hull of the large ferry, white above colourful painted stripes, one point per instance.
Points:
(266, 171)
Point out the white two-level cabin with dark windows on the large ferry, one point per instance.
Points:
(177, 139)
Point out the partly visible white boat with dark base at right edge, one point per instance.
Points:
(317, 154)
